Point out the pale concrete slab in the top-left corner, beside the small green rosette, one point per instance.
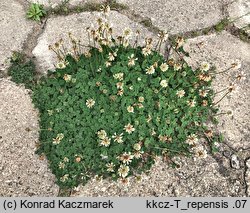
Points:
(15, 29)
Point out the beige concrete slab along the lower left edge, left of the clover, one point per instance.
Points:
(22, 173)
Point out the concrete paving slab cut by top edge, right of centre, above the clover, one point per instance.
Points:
(178, 16)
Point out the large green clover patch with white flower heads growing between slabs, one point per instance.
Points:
(113, 109)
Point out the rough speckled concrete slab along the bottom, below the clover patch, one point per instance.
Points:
(194, 178)
